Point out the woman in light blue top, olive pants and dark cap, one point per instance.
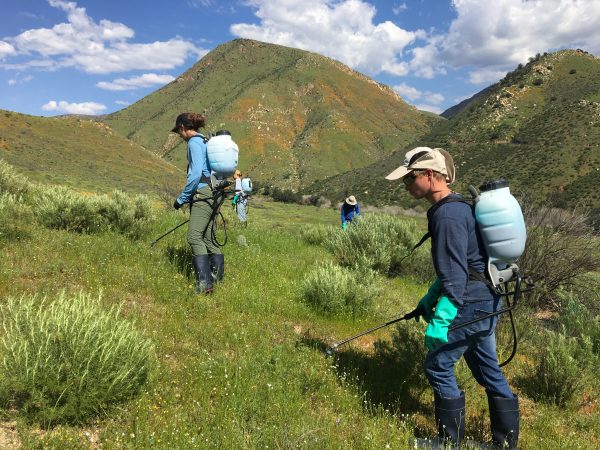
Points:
(208, 260)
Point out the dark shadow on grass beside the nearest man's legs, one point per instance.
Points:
(391, 377)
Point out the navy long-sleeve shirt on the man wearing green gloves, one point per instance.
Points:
(455, 246)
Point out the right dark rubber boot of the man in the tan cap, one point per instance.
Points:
(504, 419)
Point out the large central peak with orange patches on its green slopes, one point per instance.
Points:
(297, 116)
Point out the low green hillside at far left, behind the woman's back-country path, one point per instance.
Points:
(80, 153)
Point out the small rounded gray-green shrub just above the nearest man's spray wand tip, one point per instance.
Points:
(336, 290)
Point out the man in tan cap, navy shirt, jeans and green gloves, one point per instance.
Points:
(460, 293)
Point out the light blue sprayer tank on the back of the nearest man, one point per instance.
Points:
(502, 227)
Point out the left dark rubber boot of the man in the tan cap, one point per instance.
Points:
(450, 420)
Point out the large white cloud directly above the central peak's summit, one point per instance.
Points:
(344, 30)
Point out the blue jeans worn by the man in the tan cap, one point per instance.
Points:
(476, 342)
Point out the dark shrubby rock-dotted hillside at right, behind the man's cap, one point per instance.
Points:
(539, 127)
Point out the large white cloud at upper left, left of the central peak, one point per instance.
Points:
(101, 47)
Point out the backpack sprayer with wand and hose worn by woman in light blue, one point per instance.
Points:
(222, 154)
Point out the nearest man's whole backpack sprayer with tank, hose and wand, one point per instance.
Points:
(501, 225)
